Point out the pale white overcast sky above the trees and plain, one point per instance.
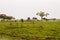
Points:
(28, 8)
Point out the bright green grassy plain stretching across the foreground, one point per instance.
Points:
(45, 30)
